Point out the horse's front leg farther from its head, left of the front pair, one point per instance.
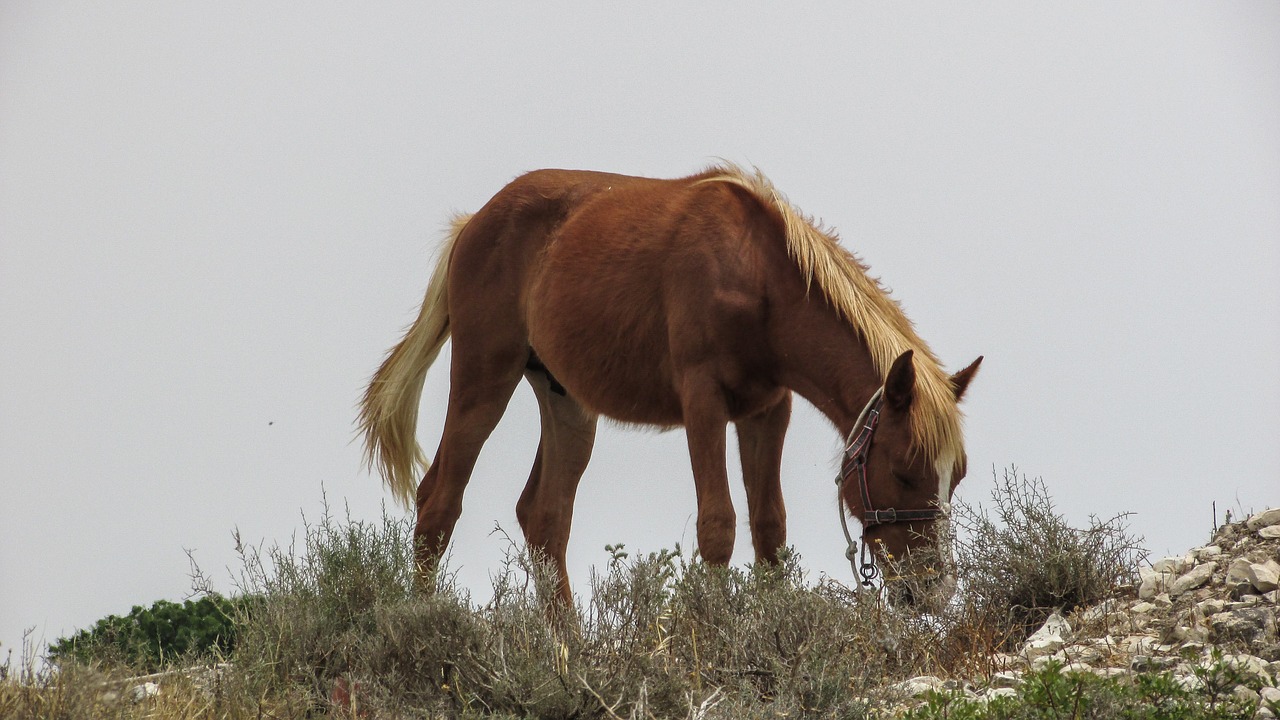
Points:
(706, 423)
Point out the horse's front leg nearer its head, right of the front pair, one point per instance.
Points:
(760, 444)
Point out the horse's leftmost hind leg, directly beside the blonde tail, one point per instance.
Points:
(484, 372)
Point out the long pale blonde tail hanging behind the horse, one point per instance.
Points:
(388, 413)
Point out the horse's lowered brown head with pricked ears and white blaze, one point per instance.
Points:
(902, 494)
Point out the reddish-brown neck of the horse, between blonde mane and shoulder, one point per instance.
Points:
(826, 362)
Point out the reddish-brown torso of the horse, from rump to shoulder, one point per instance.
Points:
(618, 282)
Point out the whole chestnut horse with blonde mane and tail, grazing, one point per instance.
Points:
(698, 302)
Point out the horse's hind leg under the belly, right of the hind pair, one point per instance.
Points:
(546, 508)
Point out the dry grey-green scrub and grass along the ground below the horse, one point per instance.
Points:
(337, 628)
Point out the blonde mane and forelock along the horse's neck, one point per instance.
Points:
(936, 421)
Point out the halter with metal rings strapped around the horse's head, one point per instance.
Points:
(857, 449)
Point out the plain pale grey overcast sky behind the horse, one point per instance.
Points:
(217, 217)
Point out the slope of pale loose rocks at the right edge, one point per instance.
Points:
(1215, 605)
